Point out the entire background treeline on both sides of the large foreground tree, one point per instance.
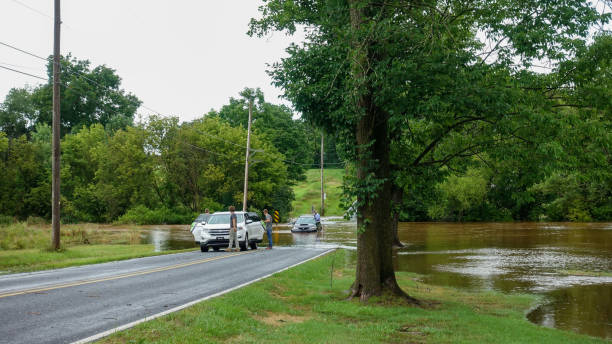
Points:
(528, 166)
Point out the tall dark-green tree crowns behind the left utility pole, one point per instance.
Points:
(88, 96)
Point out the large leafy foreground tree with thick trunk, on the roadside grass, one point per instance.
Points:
(458, 70)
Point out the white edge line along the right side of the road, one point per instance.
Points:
(189, 304)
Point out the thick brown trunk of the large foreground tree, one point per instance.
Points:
(375, 274)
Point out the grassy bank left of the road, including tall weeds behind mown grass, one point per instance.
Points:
(25, 247)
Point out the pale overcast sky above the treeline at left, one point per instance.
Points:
(180, 57)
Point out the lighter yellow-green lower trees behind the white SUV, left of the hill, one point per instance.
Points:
(158, 171)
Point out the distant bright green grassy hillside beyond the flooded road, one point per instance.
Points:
(308, 192)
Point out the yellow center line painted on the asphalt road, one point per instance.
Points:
(115, 277)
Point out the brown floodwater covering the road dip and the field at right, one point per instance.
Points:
(568, 264)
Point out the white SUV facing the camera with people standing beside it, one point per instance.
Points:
(215, 232)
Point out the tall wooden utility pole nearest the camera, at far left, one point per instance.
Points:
(55, 160)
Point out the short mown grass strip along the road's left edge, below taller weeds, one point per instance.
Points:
(26, 260)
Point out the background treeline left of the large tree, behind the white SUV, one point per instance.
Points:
(153, 171)
